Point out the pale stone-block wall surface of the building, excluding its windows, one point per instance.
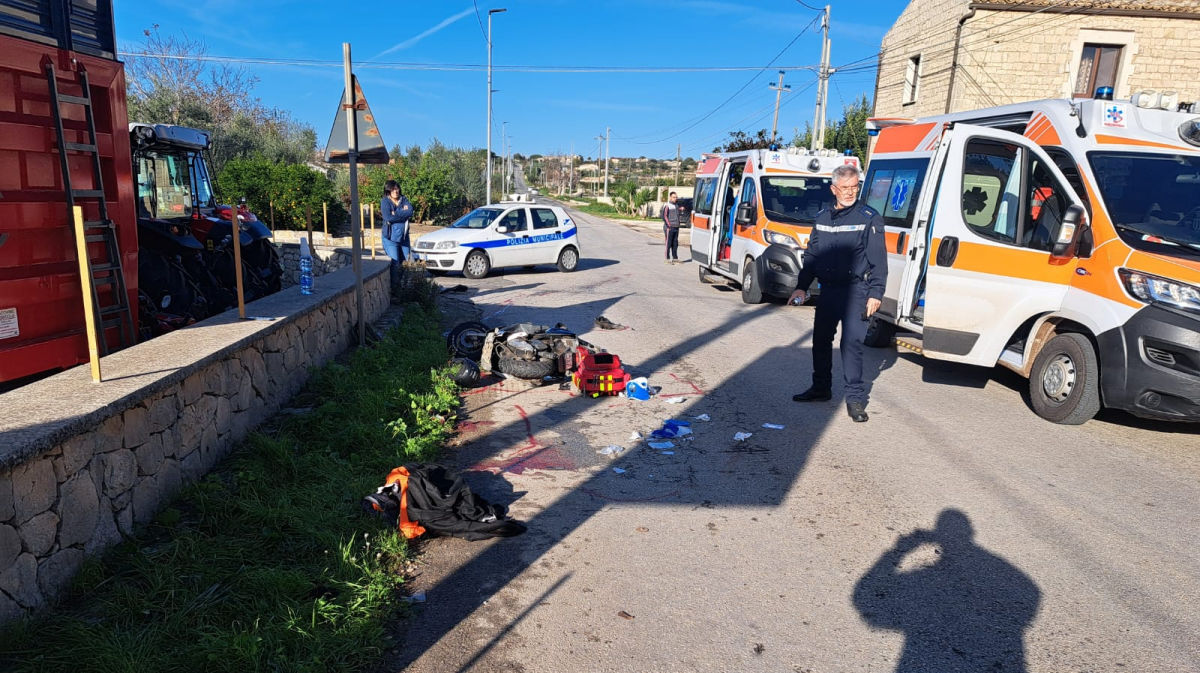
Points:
(1013, 57)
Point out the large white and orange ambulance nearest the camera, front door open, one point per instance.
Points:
(1060, 239)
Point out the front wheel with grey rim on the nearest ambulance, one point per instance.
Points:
(1065, 382)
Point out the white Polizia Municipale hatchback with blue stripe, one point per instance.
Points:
(506, 235)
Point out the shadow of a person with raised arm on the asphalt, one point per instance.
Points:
(967, 611)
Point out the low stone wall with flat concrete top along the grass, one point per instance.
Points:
(83, 464)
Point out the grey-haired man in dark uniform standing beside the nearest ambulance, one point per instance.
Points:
(848, 254)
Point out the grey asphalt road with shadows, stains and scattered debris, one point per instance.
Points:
(955, 532)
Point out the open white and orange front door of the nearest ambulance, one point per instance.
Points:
(987, 263)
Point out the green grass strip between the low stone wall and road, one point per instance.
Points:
(267, 564)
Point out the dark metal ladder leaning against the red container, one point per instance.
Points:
(107, 272)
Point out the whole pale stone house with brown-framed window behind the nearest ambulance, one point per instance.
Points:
(952, 56)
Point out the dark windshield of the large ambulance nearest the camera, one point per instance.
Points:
(1154, 200)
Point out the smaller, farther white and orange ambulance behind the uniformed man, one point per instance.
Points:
(748, 201)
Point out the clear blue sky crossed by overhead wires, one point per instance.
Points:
(547, 112)
